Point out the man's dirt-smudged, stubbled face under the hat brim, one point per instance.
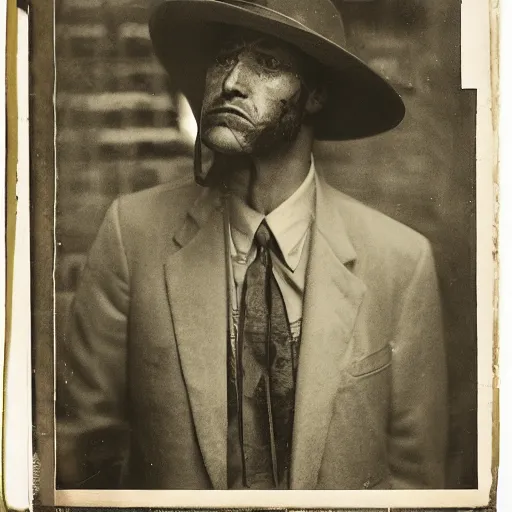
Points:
(254, 96)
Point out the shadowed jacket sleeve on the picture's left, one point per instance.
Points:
(91, 368)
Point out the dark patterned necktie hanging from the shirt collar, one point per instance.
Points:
(268, 372)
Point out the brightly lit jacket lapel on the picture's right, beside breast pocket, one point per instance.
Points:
(331, 303)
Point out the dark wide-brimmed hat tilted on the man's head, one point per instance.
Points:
(360, 102)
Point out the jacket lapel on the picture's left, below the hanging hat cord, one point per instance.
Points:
(197, 290)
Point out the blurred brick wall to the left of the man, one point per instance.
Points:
(118, 126)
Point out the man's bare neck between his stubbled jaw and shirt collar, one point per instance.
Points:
(265, 182)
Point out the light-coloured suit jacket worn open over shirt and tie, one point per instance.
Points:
(142, 386)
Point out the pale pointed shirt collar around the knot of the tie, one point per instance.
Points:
(289, 222)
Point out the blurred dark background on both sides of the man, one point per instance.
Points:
(121, 128)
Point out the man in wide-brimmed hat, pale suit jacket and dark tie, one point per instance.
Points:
(263, 331)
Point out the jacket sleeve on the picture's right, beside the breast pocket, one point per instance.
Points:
(418, 429)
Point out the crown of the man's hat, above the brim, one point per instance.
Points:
(320, 16)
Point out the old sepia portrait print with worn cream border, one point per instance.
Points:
(254, 235)
